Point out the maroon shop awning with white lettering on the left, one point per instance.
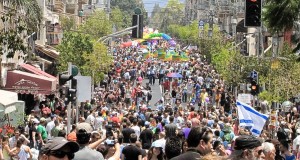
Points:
(27, 83)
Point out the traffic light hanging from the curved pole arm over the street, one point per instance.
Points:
(137, 20)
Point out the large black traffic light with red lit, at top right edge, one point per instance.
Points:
(253, 13)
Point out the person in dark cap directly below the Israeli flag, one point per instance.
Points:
(247, 147)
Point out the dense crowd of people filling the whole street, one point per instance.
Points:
(195, 118)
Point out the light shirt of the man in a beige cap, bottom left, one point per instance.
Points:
(87, 153)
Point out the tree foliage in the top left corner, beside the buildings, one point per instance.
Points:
(19, 16)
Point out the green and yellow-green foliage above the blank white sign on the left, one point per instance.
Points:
(90, 56)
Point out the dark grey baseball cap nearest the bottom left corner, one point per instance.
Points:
(58, 143)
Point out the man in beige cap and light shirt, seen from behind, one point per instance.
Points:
(83, 135)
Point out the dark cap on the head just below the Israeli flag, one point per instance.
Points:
(246, 142)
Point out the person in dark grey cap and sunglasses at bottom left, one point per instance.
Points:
(58, 148)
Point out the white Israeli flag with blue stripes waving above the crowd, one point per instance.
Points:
(249, 117)
